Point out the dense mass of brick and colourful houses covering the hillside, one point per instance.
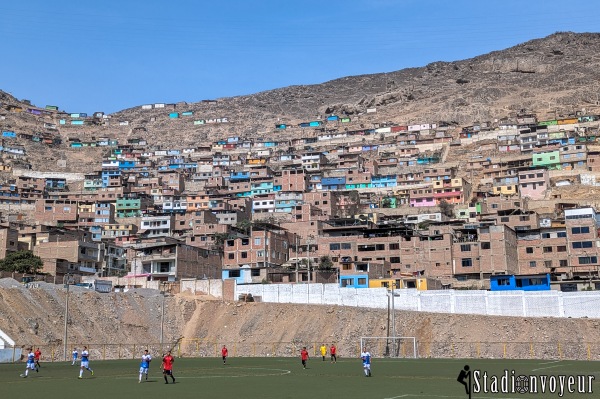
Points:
(368, 203)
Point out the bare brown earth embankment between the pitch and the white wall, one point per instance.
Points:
(118, 324)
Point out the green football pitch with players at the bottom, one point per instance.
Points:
(285, 378)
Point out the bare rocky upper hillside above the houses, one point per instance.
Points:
(552, 76)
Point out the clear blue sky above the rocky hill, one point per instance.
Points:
(87, 56)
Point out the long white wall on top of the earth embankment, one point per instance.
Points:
(511, 303)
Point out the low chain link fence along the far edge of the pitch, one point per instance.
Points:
(196, 348)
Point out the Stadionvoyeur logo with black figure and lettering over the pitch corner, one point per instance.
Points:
(513, 382)
